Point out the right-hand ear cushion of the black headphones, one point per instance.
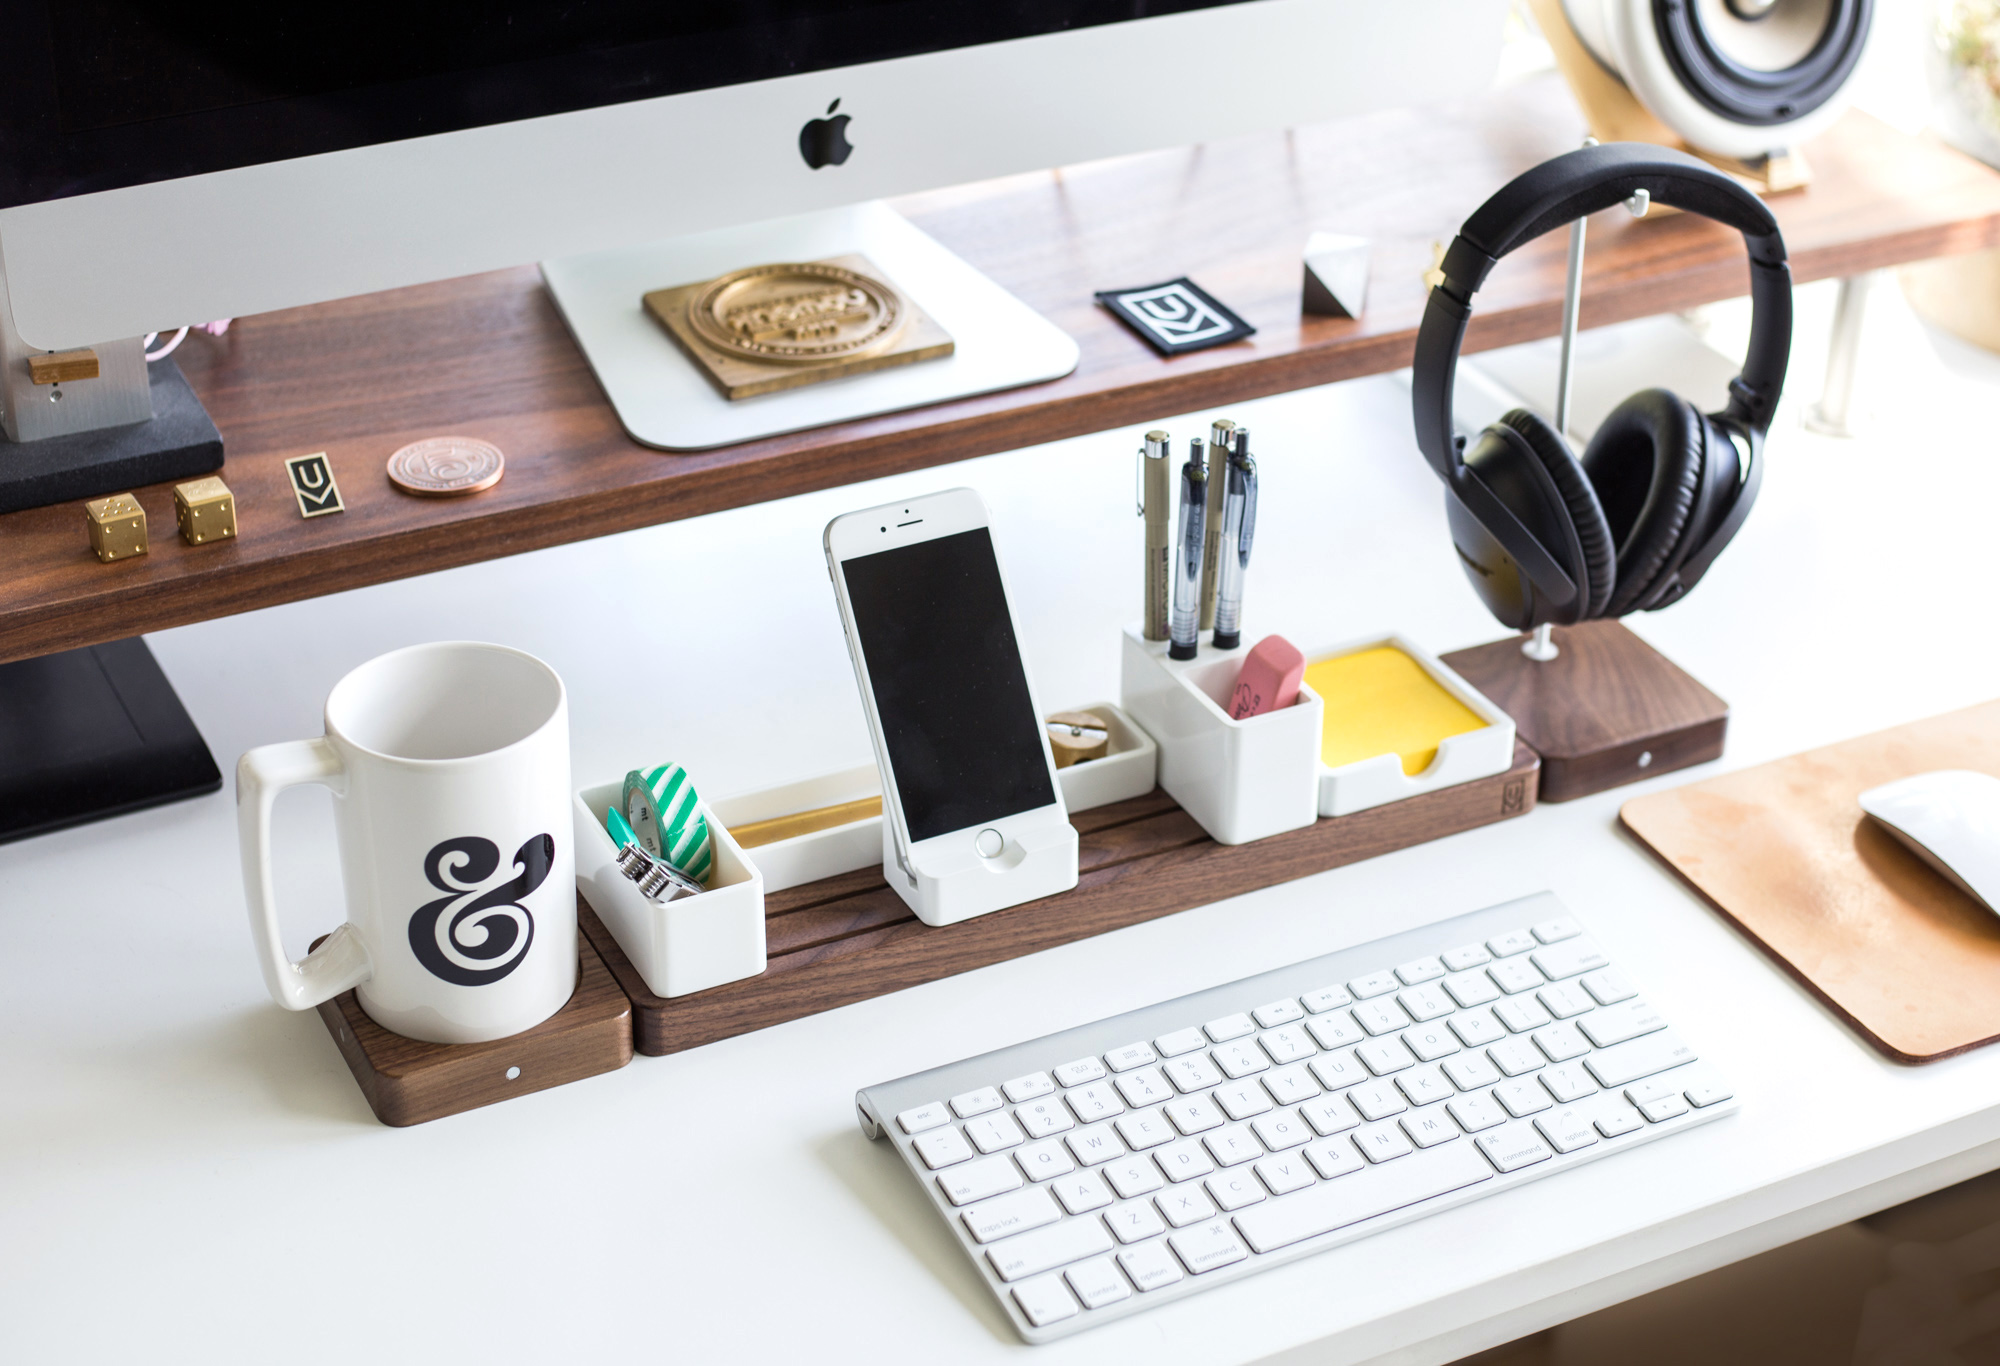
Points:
(1647, 469)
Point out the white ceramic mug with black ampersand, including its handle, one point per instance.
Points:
(451, 775)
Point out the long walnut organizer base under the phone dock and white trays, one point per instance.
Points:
(847, 939)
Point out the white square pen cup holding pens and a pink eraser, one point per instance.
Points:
(1239, 779)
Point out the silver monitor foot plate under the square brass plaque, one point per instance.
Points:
(665, 401)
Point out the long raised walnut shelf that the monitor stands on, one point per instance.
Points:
(489, 357)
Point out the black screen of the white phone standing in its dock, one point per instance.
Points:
(949, 687)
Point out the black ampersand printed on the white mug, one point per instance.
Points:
(489, 931)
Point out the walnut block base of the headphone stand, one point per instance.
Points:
(1607, 711)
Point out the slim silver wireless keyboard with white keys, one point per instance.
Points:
(1095, 1173)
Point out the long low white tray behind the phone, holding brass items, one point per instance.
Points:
(1125, 773)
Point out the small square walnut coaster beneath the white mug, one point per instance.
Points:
(409, 1081)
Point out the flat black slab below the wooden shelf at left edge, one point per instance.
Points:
(89, 735)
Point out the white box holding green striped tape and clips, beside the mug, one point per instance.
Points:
(691, 943)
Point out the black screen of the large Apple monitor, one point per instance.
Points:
(101, 95)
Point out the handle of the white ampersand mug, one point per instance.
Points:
(343, 959)
